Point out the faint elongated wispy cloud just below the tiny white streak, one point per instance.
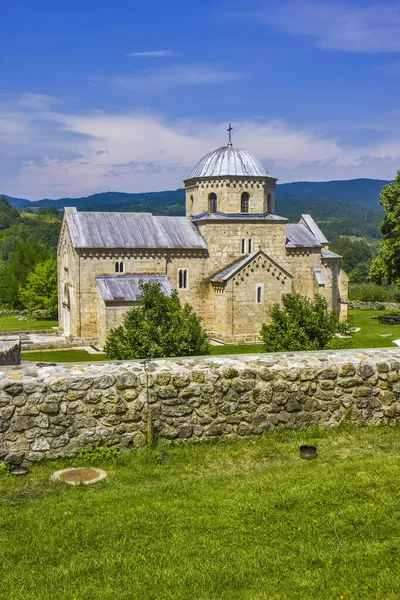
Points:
(192, 74)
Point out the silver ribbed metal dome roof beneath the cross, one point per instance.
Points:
(228, 160)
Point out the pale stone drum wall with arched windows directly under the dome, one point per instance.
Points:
(228, 192)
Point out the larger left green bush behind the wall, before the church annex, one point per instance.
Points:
(159, 327)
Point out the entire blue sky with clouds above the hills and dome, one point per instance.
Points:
(128, 96)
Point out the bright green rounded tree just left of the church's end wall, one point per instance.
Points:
(40, 291)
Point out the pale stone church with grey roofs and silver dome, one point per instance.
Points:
(231, 257)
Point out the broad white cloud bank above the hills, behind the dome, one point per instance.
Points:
(56, 154)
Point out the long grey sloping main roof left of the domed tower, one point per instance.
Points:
(131, 230)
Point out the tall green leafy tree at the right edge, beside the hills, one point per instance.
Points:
(386, 266)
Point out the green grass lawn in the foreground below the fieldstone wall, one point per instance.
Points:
(232, 520)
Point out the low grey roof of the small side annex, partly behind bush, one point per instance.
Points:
(125, 288)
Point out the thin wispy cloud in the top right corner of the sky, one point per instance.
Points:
(363, 27)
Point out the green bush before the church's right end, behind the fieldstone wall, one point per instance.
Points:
(301, 324)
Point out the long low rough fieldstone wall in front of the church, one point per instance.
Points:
(54, 411)
